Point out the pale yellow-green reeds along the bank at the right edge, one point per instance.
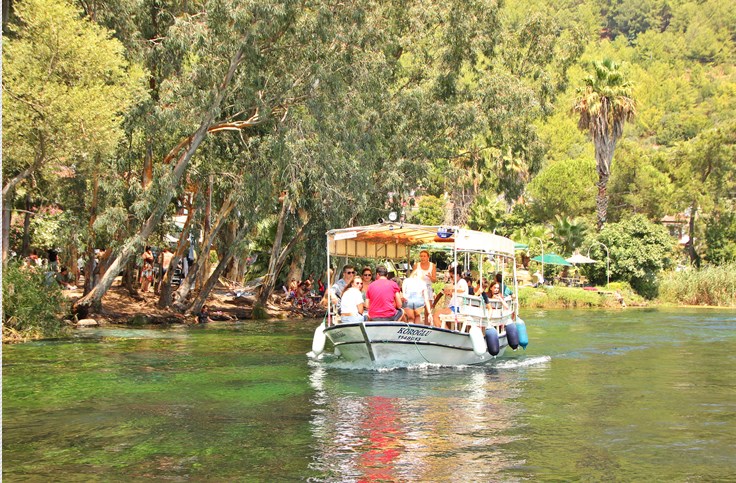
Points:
(711, 285)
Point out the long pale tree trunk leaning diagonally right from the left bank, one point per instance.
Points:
(134, 243)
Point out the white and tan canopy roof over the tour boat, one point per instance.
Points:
(393, 240)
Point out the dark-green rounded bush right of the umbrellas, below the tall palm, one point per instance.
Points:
(639, 250)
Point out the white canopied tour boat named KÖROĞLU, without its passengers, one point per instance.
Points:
(475, 335)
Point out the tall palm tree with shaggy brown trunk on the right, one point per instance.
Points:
(604, 105)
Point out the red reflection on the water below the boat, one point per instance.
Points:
(384, 436)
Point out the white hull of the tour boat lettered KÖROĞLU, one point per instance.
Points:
(398, 342)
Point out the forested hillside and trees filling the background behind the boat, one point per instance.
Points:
(264, 123)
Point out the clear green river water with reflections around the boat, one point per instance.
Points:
(634, 395)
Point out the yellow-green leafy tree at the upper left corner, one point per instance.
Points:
(66, 85)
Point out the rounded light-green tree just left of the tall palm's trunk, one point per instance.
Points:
(565, 188)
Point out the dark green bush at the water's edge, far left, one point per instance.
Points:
(31, 308)
